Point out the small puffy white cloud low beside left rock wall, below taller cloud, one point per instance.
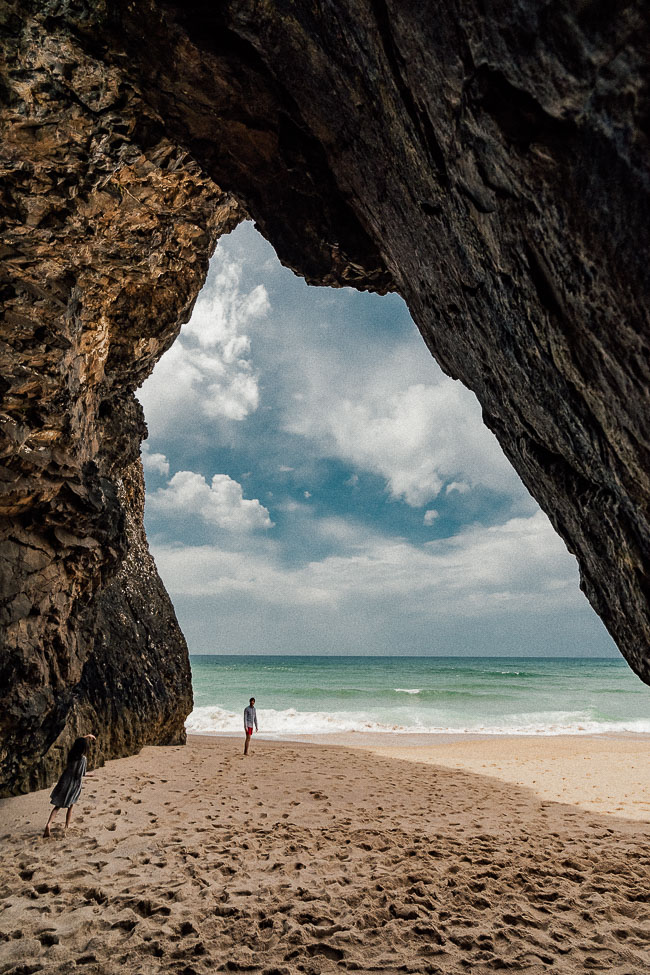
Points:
(220, 503)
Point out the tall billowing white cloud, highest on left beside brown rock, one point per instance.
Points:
(207, 373)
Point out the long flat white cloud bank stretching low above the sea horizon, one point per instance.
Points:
(521, 566)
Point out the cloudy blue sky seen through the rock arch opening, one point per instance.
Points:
(316, 484)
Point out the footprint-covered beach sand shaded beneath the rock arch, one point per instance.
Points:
(304, 858)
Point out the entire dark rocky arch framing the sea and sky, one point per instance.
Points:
(488, 160)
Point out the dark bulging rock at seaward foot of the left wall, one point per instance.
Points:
(135, 687)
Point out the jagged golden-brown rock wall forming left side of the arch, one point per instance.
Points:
(107, 228)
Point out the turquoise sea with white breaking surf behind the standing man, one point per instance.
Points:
(298, 695)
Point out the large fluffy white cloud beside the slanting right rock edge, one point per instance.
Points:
(417, 435)
